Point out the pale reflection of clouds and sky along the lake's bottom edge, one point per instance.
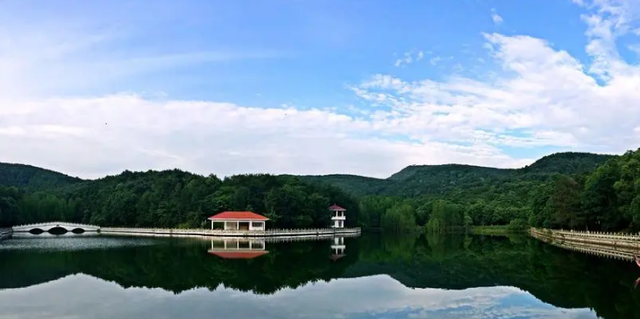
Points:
(343, 298)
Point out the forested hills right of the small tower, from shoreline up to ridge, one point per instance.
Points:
(564, 190)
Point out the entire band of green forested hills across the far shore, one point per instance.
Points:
(569, 190)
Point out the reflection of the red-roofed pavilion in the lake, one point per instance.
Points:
(234, 248)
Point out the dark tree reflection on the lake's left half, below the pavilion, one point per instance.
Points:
(181, 265)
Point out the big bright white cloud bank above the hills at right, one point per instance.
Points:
(544, 96)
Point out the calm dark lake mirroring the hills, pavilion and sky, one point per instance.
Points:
(372, 276)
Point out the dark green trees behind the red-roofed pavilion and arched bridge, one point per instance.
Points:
(175, 198)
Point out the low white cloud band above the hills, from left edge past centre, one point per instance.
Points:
(93, 136)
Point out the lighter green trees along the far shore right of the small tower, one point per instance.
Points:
(608, 198)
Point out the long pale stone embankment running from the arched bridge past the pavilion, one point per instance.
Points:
(310, 233)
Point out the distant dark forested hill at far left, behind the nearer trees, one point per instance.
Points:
(32, 178)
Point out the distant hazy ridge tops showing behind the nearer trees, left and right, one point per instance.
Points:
(35, 178)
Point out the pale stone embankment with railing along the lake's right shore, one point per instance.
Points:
(605, 244)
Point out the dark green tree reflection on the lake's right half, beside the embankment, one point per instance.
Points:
(564, 279)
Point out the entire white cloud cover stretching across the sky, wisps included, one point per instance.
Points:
(541, 97)
